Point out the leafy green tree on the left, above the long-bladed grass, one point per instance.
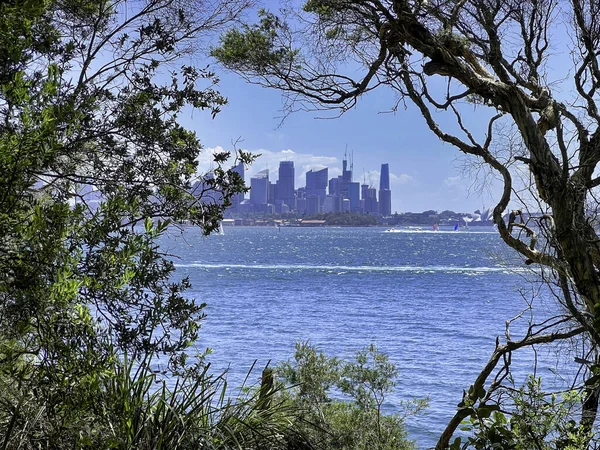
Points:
(91, 149)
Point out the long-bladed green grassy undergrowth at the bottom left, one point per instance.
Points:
(130, 407)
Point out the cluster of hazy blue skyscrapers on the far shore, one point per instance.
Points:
(320, 195)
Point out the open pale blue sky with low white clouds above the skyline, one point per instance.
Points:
(425, 173)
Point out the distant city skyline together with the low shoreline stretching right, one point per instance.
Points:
(323, 196)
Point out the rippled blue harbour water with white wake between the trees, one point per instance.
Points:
(433, 301)
